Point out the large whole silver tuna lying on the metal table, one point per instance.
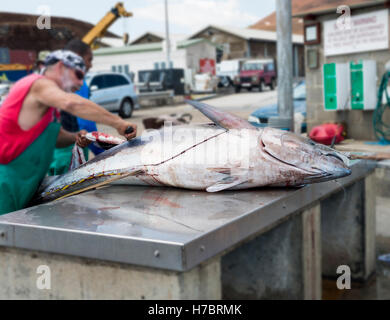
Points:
(229, 154)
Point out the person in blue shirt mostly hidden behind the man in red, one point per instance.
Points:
(62, 156)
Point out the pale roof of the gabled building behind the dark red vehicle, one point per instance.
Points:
(248, 34)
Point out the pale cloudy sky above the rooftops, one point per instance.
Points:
(185, 16)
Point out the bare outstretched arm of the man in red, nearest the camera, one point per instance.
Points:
(49, 94)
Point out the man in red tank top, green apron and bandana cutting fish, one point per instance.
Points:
(29, 132)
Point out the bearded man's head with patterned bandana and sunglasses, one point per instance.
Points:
(67, 68)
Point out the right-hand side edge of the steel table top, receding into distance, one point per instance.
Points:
(196, 251)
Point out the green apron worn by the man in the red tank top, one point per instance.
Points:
(20, 179)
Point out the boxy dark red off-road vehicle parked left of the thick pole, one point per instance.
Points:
(256, 74)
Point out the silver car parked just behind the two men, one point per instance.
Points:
(113, 91)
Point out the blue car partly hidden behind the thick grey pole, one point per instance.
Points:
(260, 117)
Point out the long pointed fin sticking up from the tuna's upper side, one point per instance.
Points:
(224, 119)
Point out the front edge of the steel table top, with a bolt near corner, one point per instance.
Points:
(84, 244)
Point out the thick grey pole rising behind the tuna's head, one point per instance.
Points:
(285, 64)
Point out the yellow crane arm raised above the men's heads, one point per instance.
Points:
(101, 27)
